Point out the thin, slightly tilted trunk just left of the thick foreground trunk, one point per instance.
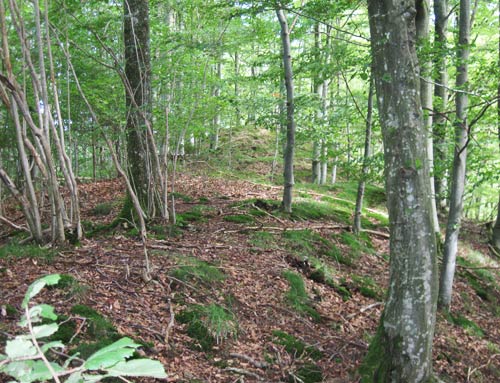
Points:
(356, 228)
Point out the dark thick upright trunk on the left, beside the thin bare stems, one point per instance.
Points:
(138, 100)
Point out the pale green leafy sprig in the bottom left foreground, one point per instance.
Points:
(26, 358)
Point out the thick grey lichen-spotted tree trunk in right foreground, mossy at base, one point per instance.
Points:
(402, 348)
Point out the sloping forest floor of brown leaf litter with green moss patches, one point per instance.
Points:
(248, 267)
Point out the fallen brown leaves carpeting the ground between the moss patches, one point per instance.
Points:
(111, 267)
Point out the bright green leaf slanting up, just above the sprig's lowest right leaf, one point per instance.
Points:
(112, 354)
